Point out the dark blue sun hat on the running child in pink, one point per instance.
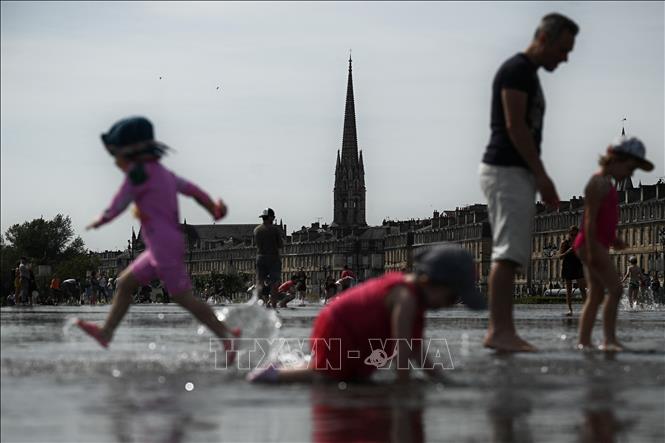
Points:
(133, 137)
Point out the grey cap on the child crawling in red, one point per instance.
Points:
(452, 266)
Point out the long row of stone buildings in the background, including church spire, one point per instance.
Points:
(322, 250)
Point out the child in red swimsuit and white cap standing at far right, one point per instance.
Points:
(598, 234)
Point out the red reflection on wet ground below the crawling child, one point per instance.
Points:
(356, 413)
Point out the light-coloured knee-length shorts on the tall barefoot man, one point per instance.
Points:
(510, 192)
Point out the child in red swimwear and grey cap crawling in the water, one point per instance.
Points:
(390, 307)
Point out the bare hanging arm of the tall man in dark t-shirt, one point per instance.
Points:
(514, 109)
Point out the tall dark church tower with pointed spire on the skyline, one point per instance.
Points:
(349, 192)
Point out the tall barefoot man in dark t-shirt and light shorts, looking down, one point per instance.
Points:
(511, 170)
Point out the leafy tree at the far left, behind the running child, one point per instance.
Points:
(46, 241)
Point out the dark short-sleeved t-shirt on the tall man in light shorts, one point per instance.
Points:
(518, 73)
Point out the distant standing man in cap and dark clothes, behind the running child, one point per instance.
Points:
(268, 240)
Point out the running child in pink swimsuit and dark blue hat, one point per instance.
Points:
(154, 190)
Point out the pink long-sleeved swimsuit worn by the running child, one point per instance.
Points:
(157, 201)
